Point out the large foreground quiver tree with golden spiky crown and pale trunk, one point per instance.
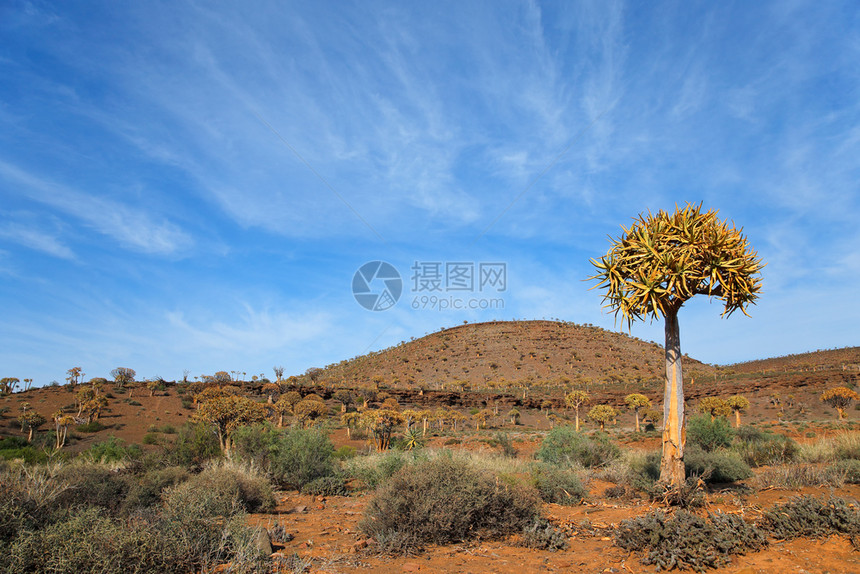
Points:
(659, 263)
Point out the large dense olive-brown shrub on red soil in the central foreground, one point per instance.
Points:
(444, 500)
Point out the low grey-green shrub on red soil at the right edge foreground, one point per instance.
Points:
(812, 517)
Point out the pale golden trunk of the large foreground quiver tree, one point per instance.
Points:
(674, 424)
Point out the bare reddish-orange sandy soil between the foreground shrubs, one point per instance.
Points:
(326, 532)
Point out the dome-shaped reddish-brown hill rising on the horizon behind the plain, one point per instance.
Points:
(505, 353)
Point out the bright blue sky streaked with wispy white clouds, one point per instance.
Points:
(193, 185)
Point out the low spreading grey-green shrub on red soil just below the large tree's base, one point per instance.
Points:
(688, 541)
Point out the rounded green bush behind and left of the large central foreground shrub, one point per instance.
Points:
(299, 456)
